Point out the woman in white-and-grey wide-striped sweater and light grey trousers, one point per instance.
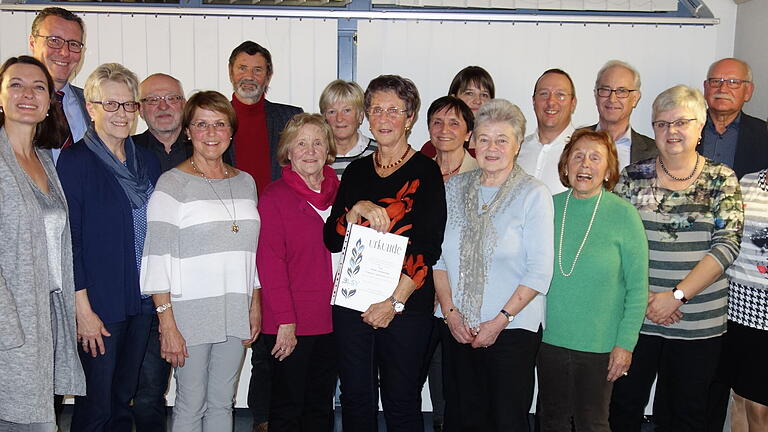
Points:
(199, 264)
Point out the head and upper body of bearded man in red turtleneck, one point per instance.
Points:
(259, 121)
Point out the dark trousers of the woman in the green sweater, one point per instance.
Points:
(573, 384)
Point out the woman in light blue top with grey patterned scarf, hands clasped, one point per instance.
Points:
(495, 269)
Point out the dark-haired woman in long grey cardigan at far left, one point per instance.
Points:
(38, 355)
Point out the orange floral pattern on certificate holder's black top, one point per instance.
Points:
(397, 207)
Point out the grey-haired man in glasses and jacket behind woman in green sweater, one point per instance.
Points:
(617, 92)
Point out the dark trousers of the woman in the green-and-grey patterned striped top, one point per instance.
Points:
(686, 370)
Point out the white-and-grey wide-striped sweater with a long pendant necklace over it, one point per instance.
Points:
(192, 252)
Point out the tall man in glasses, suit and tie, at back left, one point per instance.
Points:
(56, 40)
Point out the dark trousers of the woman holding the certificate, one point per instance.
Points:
(391, 358)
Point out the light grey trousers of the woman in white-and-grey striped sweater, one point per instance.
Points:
(206, 386)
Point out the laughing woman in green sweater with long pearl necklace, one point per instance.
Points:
(599, 290)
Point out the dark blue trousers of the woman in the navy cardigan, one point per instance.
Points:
(111, 378)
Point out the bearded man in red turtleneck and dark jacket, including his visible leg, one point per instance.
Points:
(254, 150)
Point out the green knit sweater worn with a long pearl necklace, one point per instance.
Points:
(602, 304)
